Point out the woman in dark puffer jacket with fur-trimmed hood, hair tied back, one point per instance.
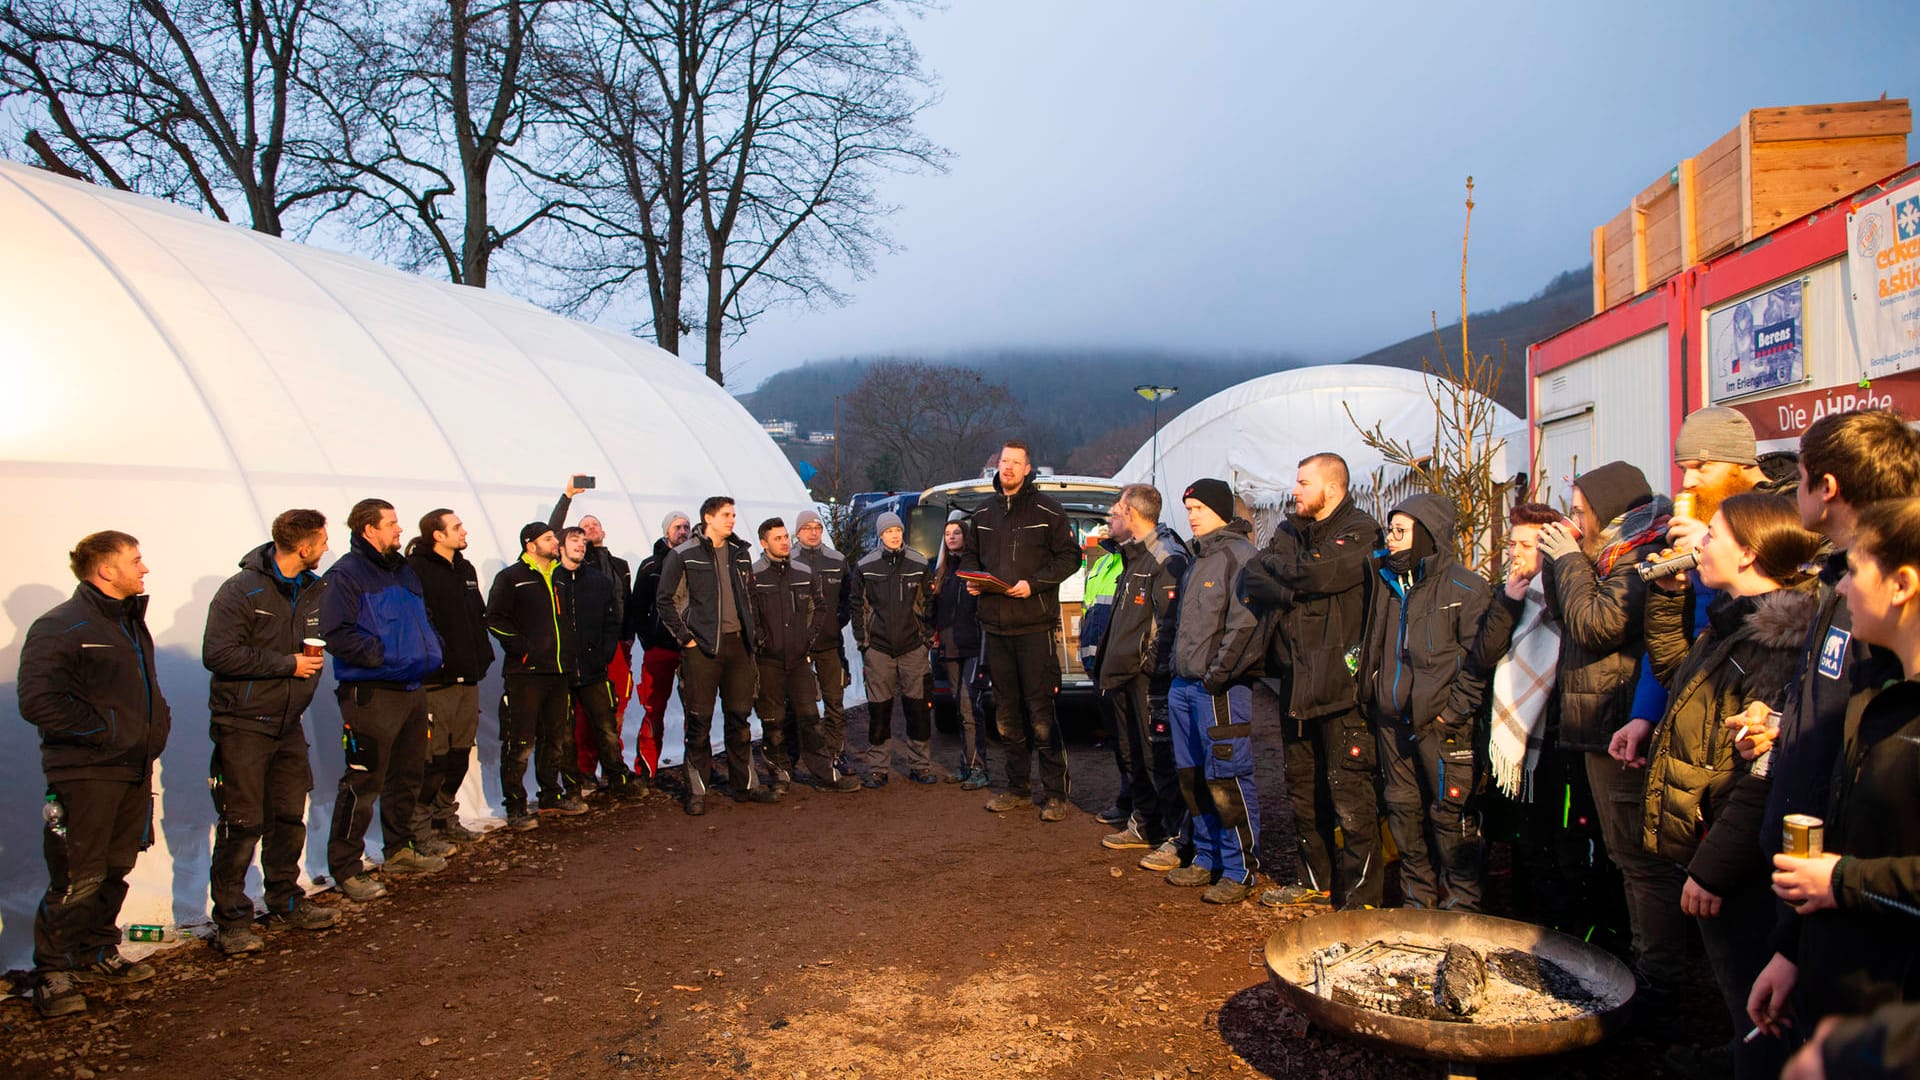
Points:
(1704, 802)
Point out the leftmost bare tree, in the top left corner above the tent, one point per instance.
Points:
(195, 103)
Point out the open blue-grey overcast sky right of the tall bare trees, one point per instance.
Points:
(1289, 178)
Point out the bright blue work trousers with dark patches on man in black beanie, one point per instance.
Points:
(1214, 756)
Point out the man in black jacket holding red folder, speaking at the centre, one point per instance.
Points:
(1026, 543)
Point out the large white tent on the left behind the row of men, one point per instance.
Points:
(185, 381)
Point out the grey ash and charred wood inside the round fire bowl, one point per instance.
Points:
(1452, 983)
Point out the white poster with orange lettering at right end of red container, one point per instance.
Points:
(1884, 257)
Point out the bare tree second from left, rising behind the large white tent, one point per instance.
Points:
(435, 128)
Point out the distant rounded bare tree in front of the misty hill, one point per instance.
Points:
(917, 424)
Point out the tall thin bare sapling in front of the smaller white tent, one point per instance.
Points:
(1460, 462)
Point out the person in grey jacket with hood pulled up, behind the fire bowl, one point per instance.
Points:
(1424, 695)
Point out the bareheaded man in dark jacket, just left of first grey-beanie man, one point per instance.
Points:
(788, 612)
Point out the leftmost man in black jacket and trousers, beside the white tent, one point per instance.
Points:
(87, 683)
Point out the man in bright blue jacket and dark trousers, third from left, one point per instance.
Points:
(375, 624)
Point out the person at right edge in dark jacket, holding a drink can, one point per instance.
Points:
(1854, 939)
